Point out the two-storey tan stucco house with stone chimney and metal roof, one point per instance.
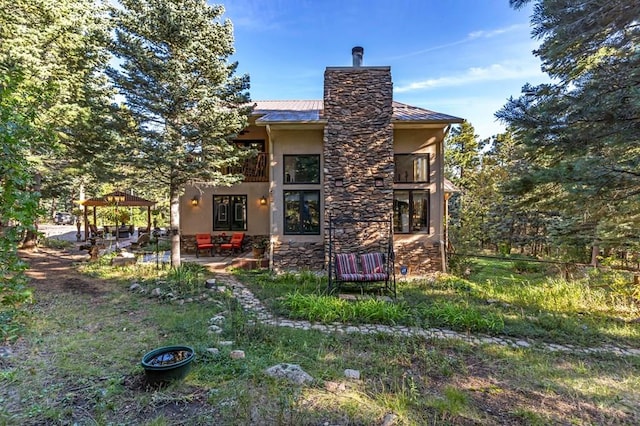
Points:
(356, 153)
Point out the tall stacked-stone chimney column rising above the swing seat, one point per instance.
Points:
(358, 148)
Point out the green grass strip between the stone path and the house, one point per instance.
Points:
(499, 298)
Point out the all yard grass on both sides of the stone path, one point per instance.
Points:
(79, 361)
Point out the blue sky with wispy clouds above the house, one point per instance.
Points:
(459, 57)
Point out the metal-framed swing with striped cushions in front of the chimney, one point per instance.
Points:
(364, 264)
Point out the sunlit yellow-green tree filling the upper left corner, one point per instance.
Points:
(59, 49)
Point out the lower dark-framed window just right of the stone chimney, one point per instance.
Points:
(410, 211)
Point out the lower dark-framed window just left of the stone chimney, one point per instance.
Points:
(302, 212)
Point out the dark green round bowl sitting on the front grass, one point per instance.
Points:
(168, 363)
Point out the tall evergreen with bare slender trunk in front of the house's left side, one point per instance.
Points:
(182, 95)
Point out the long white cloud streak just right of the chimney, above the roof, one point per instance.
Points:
(474, 75)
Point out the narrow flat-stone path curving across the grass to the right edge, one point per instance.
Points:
(251, 304)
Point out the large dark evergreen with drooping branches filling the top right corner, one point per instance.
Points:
(581, 133)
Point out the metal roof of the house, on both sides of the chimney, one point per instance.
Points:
(305, 111)
